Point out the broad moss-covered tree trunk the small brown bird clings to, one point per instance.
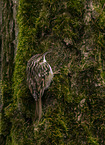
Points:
(74, 105)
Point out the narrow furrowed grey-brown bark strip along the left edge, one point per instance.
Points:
(7, 59)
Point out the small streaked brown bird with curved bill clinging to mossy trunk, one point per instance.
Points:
(39, 77)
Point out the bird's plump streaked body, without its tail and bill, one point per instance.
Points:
(38, 73)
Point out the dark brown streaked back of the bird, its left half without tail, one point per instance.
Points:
(35, 82)
